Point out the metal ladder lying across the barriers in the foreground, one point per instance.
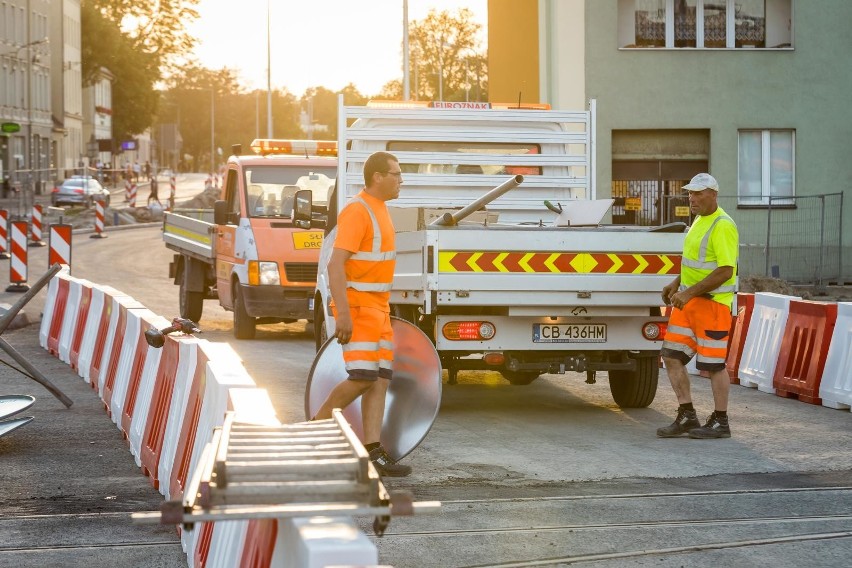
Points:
(317, 468)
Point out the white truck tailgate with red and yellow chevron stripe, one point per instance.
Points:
(522, 267)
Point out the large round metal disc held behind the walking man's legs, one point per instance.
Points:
(414, 395)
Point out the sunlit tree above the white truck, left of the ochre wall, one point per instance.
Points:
(445, 62)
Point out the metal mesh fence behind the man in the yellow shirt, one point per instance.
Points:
(797, 239)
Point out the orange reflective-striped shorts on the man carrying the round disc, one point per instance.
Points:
(369, 353)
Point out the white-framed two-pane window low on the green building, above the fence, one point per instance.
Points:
(766, 167)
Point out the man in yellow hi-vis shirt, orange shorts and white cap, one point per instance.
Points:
(700, 321)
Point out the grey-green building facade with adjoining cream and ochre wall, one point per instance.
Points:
(643, 94)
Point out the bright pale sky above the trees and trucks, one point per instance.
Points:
(328, 43)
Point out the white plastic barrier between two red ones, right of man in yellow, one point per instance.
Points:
(766, 330)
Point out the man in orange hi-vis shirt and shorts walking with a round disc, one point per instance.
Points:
(360, 274)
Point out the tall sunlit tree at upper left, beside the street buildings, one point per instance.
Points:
(136, 41)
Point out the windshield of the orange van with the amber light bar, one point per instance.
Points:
(271, 189)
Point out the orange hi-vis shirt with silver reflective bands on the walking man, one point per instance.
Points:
(364, 228)
